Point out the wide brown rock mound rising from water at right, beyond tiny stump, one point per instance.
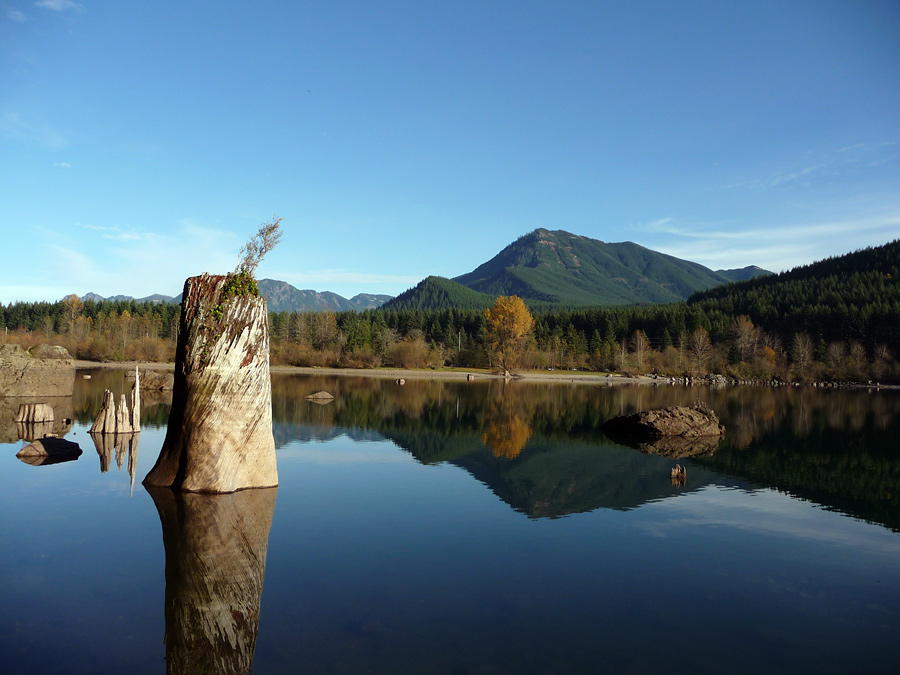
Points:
(675, 421)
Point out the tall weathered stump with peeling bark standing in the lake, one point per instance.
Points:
(219, 437)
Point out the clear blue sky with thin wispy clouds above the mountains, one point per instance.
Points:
(143, 142)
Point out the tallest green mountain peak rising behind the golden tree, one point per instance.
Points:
(564, 268)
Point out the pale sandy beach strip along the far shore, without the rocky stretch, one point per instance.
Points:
(398, 373)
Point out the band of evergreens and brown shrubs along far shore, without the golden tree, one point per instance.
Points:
(710, 333)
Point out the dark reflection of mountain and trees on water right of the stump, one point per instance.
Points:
(540, 447)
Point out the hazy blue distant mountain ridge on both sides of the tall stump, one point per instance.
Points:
(280, 297)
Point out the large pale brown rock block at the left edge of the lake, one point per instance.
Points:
(44, 371)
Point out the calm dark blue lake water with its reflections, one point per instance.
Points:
(453, 527)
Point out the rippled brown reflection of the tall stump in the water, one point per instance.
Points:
(215, 563)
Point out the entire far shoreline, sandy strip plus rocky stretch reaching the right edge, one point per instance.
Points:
(559, 376)
